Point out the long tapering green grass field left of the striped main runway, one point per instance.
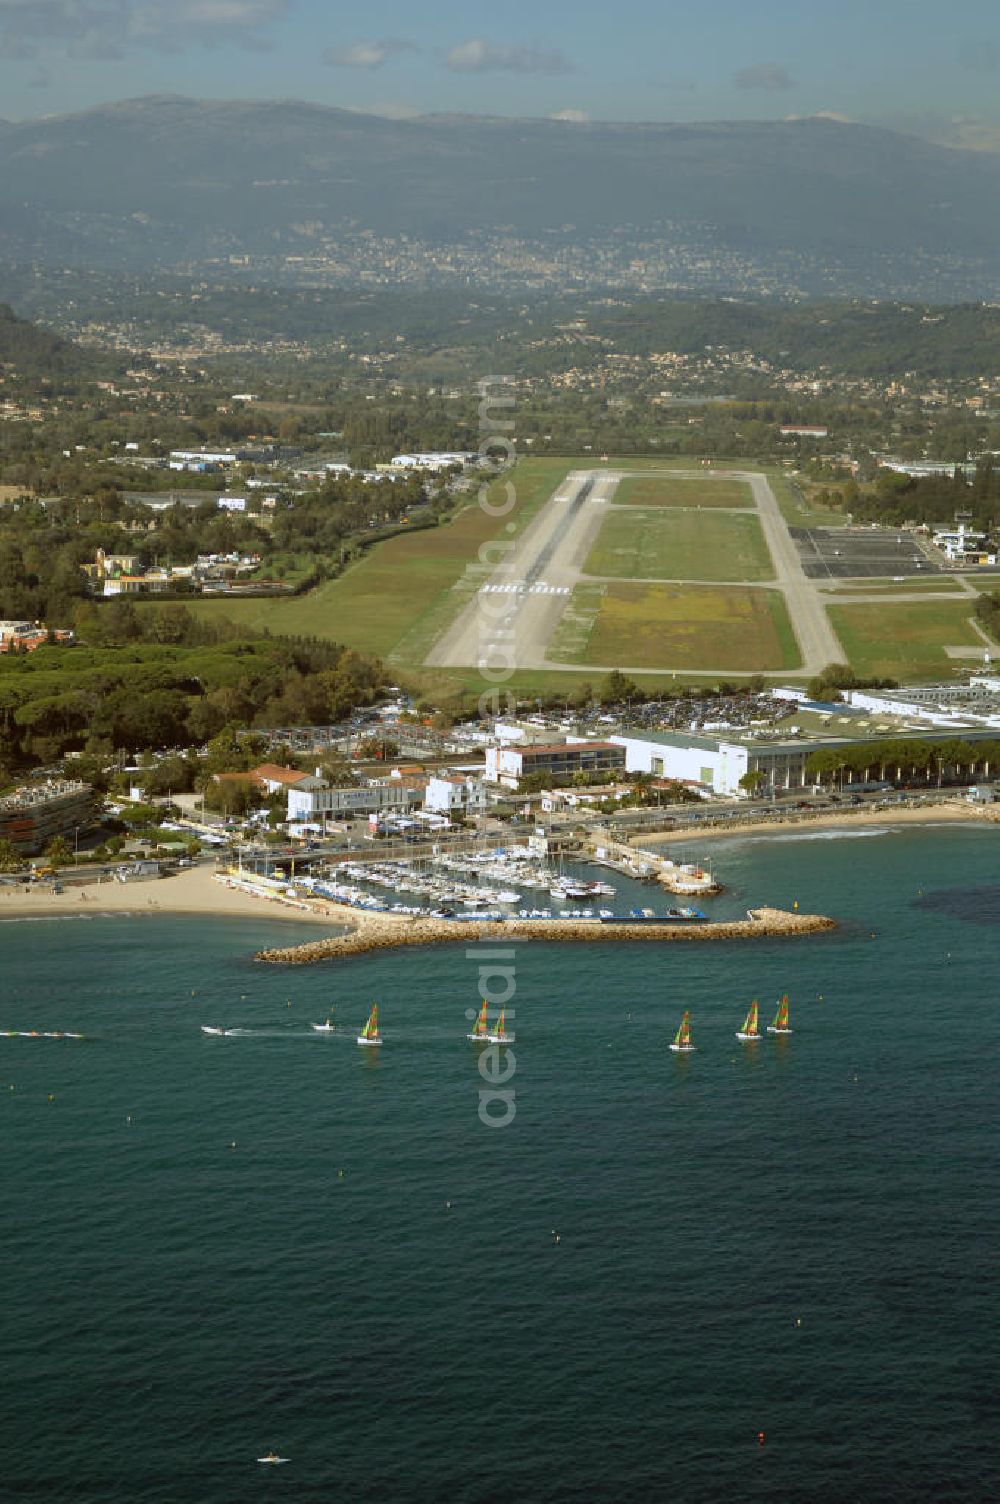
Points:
(402, 595)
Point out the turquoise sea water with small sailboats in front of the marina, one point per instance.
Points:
(796, 1239)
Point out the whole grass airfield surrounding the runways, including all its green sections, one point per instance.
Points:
(674, 577)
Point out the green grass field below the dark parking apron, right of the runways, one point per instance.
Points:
(906, 641)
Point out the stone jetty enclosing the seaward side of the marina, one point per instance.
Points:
(369, 932)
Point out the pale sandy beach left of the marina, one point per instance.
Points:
(192, 893)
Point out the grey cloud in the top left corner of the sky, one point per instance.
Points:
(115, 28)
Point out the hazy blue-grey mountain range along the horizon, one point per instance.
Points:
(165, 183)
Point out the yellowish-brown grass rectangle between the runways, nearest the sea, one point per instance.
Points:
(686, 628)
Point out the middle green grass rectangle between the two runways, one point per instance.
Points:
(682, 545)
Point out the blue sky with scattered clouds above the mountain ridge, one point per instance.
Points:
(914, 65)
